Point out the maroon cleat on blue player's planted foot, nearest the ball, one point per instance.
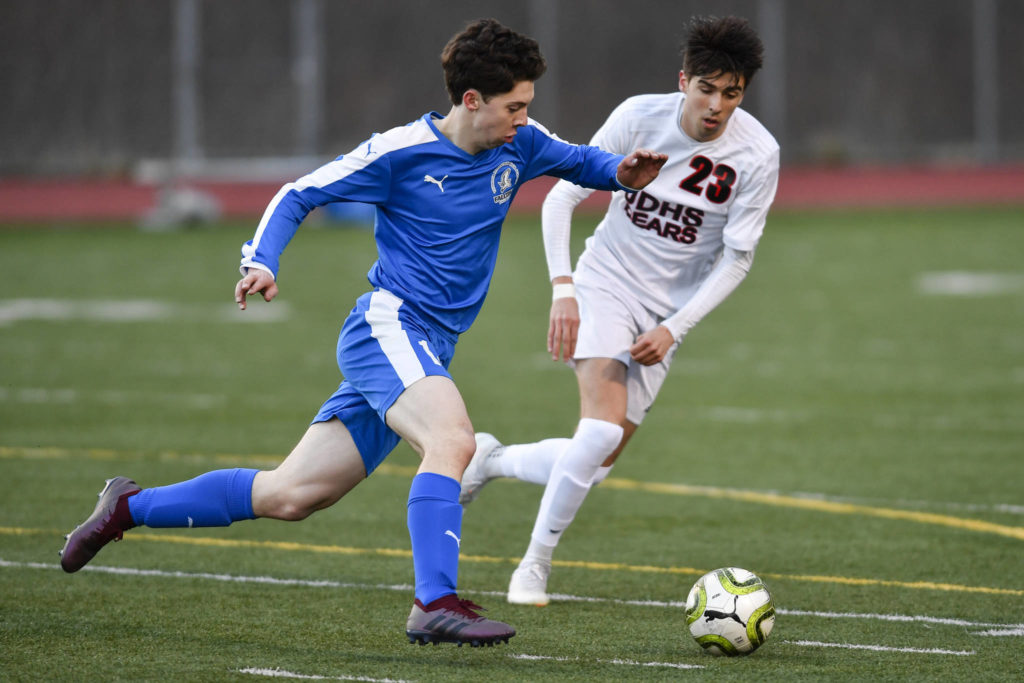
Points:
(450, 620)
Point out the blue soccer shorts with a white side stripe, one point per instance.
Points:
(385, 348)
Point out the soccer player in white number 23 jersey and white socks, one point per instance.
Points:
(657, 265)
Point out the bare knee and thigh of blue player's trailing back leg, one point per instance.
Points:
(324, 466)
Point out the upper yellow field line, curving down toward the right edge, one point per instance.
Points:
(778, 500)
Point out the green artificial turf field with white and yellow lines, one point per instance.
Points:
(849, 425)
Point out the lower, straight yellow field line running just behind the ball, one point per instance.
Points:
(288, 546)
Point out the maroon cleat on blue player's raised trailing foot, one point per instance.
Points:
(108, 523)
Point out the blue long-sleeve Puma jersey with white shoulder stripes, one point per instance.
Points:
(439, 209)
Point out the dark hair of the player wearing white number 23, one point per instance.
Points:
(715, 47)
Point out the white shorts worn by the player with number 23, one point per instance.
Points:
(610, 323)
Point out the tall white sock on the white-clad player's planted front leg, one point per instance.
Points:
(572, 477)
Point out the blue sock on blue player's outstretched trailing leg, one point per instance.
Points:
(215, 499)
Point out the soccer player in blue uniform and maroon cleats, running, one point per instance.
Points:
(442, 187)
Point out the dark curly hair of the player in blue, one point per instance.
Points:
(490, 58)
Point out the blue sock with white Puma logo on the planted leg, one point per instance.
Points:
(436, 530)
